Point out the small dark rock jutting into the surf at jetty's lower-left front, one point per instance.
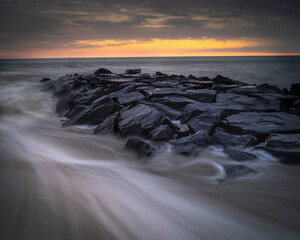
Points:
(142, 147)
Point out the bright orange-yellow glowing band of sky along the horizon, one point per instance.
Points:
(148, 48)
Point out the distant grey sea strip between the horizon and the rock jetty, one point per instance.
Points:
(281, 71)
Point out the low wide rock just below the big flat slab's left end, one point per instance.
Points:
(229, 140)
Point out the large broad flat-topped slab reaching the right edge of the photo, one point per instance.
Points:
(262, 124)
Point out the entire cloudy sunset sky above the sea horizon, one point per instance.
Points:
(154, 28)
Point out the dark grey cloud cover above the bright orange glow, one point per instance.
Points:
(25, 23)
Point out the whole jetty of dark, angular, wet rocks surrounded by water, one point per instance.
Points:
(185, 113)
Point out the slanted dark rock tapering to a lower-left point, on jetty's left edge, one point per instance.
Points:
(96, 113)
